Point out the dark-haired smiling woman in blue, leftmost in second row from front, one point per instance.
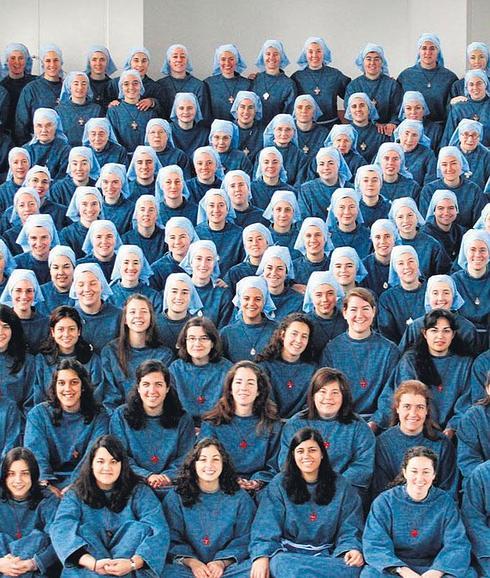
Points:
(61, 430)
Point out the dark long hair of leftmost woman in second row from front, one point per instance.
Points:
(89, 408)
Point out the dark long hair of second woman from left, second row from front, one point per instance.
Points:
(172, 410)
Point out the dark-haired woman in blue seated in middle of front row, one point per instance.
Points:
(209, 517)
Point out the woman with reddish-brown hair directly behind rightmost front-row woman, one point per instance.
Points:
(411, 425)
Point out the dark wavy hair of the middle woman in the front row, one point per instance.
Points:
(187, 483)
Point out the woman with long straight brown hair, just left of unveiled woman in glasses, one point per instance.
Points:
(138, 340)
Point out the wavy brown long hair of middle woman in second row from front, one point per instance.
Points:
(264, 408)
